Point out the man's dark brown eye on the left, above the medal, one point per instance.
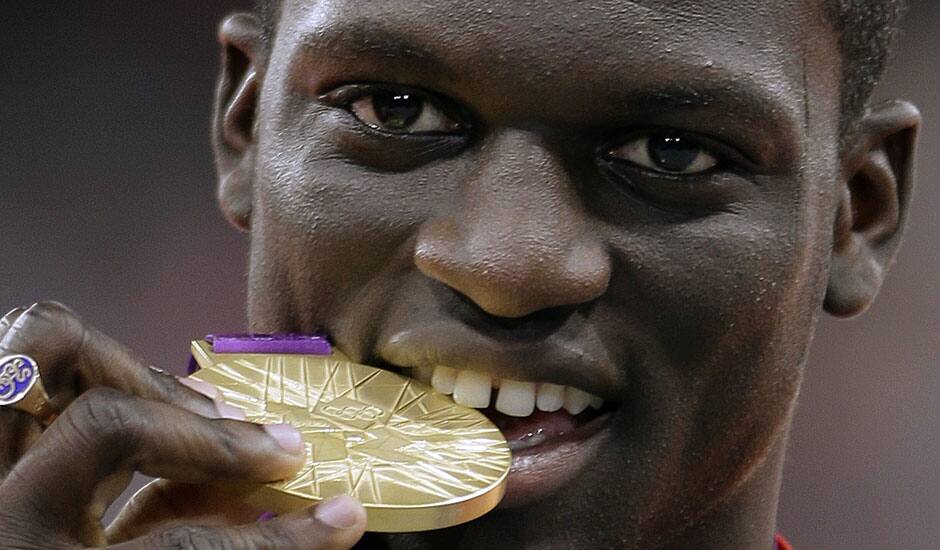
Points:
(402, 113)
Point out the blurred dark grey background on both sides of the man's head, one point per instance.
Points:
(107, 204)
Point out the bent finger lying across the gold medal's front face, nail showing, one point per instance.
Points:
(106, 434)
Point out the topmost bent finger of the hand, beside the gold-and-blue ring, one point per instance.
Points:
(74, 357)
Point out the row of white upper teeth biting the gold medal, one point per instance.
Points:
(514, 398)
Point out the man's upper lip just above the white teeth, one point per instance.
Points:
(551, 360)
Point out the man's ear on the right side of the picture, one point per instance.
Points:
(878, 173)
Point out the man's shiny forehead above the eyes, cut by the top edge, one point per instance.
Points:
(752, 57)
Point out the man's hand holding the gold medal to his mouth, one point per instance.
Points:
(118, 416)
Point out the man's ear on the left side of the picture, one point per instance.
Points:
(233, 130)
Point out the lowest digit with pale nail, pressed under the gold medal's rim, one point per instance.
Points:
(336, 524)
